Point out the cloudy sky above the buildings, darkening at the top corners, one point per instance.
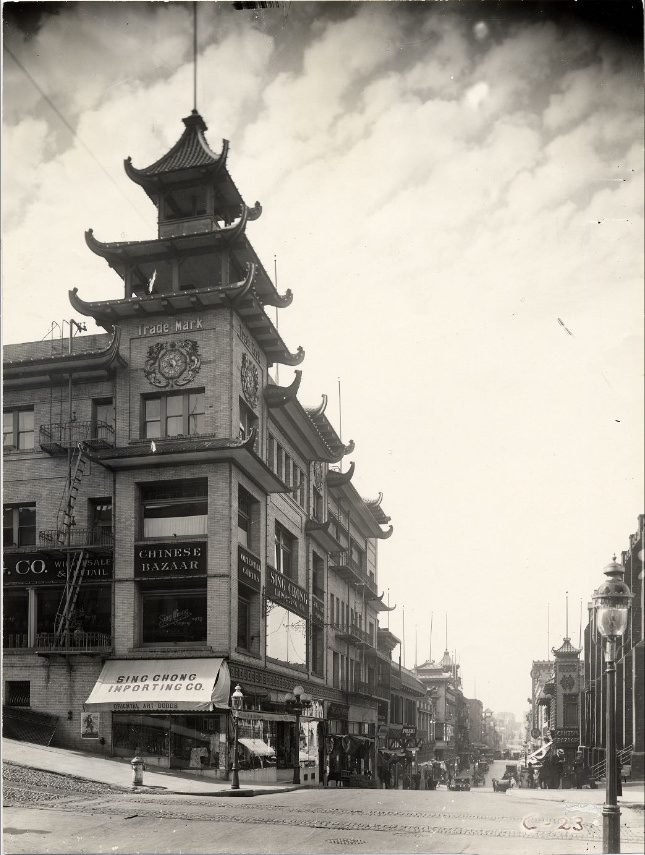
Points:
(454, 193)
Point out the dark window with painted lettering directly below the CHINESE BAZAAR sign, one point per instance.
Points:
(175, 614)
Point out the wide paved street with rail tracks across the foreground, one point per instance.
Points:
(46, 813)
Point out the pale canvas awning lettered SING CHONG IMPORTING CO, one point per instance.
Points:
(161, 685)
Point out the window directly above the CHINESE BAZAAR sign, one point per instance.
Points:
(175, 509)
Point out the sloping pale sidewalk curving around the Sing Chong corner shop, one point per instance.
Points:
(118, 772)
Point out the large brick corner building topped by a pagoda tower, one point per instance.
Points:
(175, 522)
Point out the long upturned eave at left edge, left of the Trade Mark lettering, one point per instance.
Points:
(92, 364)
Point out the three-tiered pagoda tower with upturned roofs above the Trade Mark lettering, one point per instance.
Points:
(201, 258)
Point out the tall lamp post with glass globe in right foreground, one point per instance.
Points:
(611, 605)
